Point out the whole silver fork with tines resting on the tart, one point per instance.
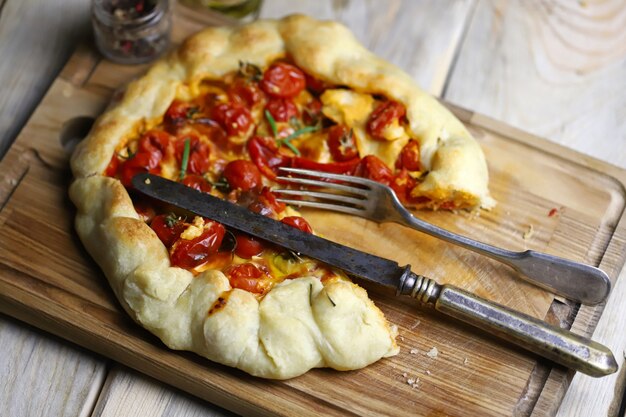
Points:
(378, 202)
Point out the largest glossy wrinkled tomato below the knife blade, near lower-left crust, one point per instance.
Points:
(195, 252)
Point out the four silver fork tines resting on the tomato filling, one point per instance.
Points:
(334, 191)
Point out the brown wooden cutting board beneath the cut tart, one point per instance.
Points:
(550, 199)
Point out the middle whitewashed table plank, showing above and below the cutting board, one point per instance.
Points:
(434, 28)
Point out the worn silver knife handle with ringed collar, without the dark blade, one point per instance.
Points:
(559, 345)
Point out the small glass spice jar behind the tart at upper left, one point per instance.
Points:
(131, 31)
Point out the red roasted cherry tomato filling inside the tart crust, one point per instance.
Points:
(230, 141)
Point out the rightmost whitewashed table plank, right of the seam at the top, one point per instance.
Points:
(556, 69)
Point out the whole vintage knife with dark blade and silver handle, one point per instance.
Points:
(559, 345)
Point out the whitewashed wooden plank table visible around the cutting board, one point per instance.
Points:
(554, 68)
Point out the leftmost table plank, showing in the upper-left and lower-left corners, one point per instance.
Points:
(41, 375)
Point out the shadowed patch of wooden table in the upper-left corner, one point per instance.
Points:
(33, 58)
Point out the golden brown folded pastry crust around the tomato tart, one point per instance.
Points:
(294, 327)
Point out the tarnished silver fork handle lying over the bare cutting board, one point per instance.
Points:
(574, 280)
